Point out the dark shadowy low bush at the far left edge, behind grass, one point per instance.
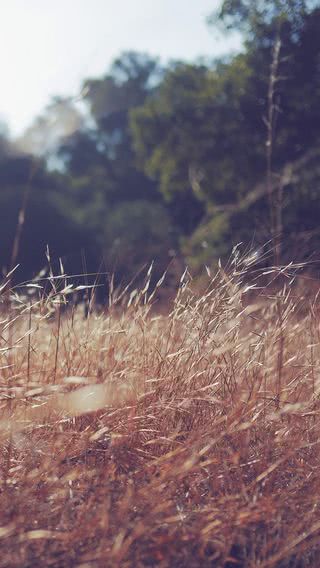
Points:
(29, 192)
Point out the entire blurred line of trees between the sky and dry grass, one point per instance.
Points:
(170, 163)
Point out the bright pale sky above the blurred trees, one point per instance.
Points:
(48, 47)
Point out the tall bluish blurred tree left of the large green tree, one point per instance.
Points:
(110, 195)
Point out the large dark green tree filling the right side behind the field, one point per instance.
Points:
(203, 129)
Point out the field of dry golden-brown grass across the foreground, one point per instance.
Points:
(137, 439)
